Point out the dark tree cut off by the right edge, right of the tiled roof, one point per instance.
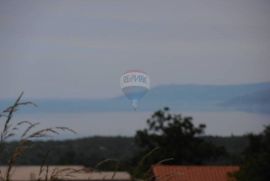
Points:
(256, 163)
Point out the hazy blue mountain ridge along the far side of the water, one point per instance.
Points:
(188, 97)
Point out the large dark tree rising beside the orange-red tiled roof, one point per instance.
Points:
(176, 139)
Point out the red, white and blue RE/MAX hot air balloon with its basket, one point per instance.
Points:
(135, 84)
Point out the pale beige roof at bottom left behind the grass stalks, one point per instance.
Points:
(67, 173)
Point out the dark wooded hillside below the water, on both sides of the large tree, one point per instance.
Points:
(92, 150)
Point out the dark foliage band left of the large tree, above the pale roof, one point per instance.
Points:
(85, 151)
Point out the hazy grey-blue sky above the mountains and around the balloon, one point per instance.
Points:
(61, 49)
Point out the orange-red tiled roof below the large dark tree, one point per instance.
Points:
(193, 173)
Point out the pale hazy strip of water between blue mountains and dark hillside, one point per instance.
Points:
(126, 123)
